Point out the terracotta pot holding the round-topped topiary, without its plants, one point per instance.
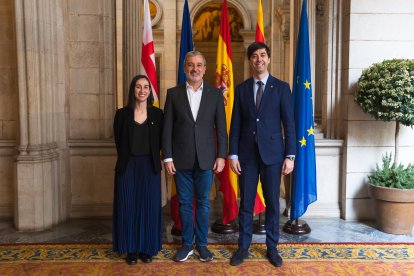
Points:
(394, 209)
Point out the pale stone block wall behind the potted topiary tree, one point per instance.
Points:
(375, 30)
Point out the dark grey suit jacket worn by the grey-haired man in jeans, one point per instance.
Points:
(184, 138)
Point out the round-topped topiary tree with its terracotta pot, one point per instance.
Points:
(386, 91)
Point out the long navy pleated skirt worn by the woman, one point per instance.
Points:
(137, 219)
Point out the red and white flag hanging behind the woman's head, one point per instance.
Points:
(147, 66)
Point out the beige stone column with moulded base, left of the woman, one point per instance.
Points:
(42, 191)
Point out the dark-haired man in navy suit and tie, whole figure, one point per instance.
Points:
(261, 105)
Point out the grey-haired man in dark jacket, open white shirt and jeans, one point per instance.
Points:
(194, 144)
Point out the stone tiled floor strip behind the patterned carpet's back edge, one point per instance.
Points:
(99, 230)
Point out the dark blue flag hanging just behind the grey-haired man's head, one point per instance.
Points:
(186, 44)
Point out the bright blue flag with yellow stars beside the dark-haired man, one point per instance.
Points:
(304, 176)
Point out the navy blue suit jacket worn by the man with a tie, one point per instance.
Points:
(246, 123)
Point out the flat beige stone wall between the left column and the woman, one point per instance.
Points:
(91, 54)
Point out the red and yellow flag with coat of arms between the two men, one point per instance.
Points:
(224, 81)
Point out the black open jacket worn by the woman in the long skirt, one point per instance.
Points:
(123, 124)
